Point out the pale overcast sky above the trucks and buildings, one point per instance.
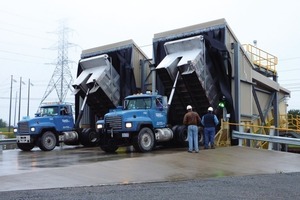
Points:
(28, 36)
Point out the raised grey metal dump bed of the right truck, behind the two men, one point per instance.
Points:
(195, 86)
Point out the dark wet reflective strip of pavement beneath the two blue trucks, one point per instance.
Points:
(66, 156)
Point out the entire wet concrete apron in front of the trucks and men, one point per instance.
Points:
(72, 167)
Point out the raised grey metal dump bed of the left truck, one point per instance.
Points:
(101, 79)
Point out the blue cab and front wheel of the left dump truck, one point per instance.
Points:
(45, 130)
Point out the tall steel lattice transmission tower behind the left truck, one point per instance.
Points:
(61, 79)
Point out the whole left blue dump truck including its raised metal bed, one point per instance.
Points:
(55, 122)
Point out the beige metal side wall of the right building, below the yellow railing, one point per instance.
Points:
(256, 90)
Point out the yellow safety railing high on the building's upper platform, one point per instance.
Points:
(261, 58)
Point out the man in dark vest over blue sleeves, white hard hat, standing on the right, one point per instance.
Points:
(209, 121)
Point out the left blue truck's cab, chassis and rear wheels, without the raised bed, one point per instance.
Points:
(54, 123)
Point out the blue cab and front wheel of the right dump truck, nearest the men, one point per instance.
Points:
(141, 121)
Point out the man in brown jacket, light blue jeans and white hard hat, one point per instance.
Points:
(192, 119)
